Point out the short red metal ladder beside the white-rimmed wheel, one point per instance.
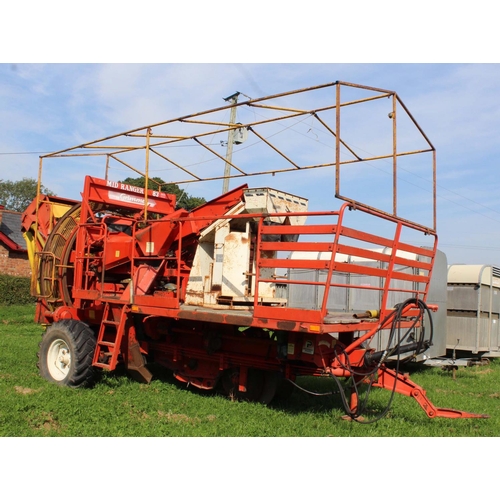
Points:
(110, 336)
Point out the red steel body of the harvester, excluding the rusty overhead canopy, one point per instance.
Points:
(98, 302)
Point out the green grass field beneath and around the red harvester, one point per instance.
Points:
(118, 406)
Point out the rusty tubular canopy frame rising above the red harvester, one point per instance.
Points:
(206, 127)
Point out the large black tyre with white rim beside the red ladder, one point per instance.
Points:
(66, 353)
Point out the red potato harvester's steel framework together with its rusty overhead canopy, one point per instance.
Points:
(93, 253)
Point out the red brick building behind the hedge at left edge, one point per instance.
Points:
(13, 255)
